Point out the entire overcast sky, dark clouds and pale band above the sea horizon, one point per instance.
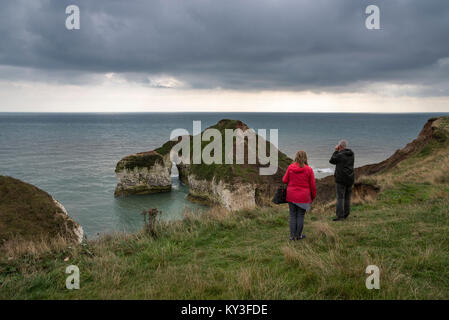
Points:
(233, 55)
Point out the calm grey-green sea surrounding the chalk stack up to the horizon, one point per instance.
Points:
(73, 156)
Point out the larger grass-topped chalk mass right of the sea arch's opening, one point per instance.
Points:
(233, 186)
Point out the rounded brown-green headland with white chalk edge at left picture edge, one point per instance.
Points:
(29, 213)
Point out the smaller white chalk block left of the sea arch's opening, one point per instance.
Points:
(143, 173)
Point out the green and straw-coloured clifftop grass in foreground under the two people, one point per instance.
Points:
(246, 255)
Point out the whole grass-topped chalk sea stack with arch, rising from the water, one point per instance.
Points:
(233, 186)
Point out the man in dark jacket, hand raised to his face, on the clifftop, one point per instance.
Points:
(343, 158)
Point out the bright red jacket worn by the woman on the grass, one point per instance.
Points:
(301, 184)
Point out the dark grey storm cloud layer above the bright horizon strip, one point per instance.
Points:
(252, 44)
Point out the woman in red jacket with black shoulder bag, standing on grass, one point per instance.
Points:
(301, 191)
